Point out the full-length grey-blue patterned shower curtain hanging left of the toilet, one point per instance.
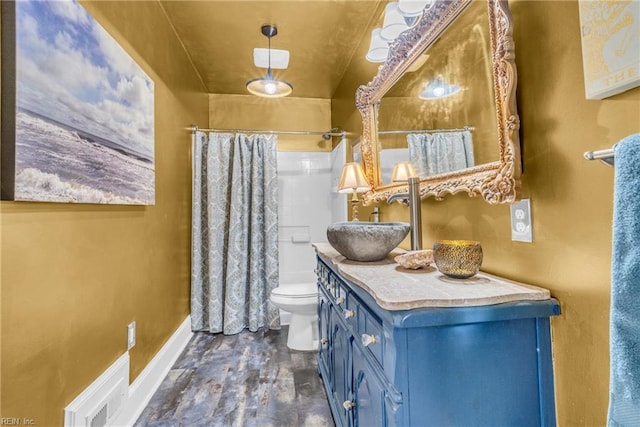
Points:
(234, 245)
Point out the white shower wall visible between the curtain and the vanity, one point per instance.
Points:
(307, 204)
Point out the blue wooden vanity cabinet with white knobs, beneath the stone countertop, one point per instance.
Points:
(433, 366)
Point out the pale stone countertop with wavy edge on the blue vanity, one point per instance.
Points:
(396, 288)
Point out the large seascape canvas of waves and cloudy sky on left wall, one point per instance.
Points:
(77, 111)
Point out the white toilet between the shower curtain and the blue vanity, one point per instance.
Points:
(301, 300)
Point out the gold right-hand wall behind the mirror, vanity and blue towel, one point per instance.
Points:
(571, 201)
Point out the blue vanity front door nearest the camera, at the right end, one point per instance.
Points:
(368, 393)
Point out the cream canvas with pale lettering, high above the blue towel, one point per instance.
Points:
(610, 46)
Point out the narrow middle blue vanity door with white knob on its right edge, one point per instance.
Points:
(340, 366)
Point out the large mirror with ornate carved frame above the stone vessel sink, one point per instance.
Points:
(445, 100)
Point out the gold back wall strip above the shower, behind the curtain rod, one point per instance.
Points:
(289, 114)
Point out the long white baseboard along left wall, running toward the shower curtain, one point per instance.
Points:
(143, 388)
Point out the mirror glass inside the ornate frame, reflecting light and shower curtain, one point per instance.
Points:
(441, 114)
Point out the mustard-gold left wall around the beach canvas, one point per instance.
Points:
(74, 276)
